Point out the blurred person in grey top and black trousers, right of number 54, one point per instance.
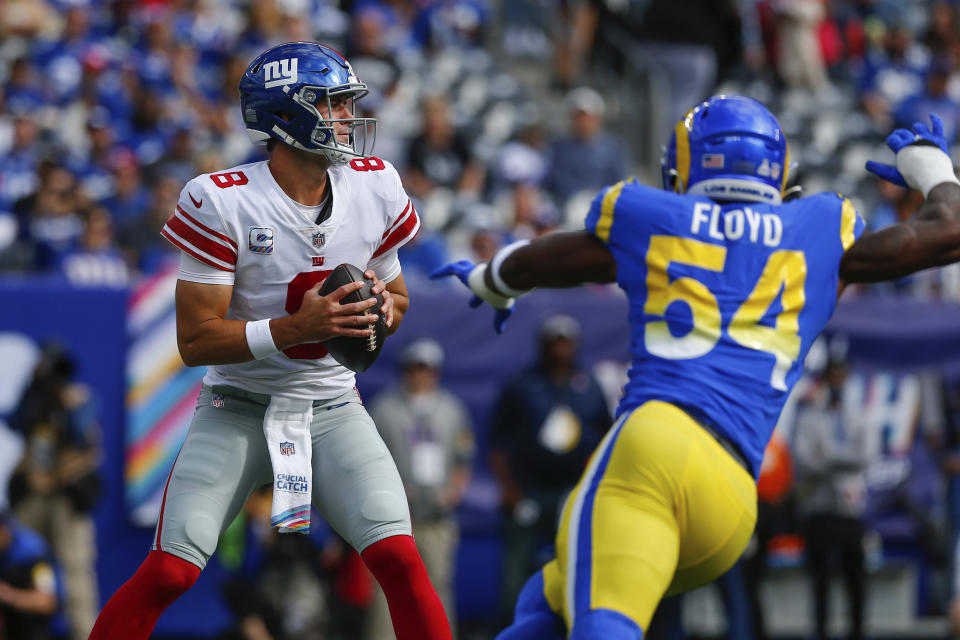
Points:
(833, 449)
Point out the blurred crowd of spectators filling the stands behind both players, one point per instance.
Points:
(503, 118)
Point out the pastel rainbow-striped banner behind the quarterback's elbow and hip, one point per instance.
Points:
(161, 396)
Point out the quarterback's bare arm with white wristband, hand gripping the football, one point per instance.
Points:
(206, 336)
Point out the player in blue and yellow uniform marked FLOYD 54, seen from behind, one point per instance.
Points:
(728, 286)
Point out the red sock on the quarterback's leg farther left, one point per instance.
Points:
(136, 606)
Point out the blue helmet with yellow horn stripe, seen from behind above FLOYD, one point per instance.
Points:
(728, 148)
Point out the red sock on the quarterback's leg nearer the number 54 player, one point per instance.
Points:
(415, 608)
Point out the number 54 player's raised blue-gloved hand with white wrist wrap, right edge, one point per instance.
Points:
(922, 157)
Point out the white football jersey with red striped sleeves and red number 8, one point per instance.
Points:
(241, 222)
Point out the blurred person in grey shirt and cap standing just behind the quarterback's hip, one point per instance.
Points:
(429, 433)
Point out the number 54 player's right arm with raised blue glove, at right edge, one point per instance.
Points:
(932, 236)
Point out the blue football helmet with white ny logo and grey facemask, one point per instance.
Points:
(281, 94)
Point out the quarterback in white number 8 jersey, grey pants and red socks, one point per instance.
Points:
(257, 241)
